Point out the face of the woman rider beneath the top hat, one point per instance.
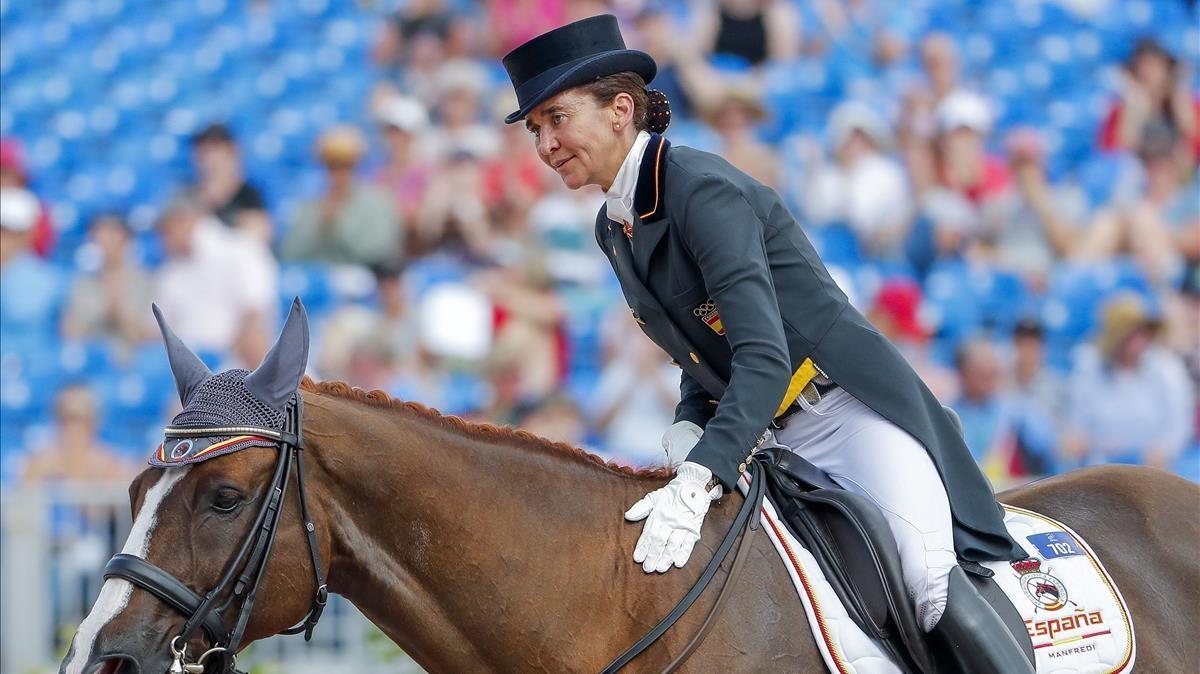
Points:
(578, 137)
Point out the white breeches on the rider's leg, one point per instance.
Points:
(873, 458)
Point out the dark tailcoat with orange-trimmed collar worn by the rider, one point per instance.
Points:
(706, 232)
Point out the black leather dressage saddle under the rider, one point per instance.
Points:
(857, 552)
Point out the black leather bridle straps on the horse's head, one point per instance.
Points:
(203, 613)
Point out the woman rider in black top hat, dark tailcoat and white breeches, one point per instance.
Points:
(723, 279)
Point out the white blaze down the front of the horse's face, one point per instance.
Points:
(115, 595)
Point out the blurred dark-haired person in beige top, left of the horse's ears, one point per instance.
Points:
(110, 302)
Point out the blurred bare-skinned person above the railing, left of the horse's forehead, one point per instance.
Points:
(76, 454)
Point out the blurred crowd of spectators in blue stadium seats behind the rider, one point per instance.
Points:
(1024, 225)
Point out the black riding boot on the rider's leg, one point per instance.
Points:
(970, 639)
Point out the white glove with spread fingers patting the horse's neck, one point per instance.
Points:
(676, 515)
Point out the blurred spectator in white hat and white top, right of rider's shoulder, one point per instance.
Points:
(862, 188)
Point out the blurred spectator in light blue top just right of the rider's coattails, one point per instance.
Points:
(985, 407)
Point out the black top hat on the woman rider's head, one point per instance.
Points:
(568, 57)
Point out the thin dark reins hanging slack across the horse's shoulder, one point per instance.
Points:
(746, 522)
